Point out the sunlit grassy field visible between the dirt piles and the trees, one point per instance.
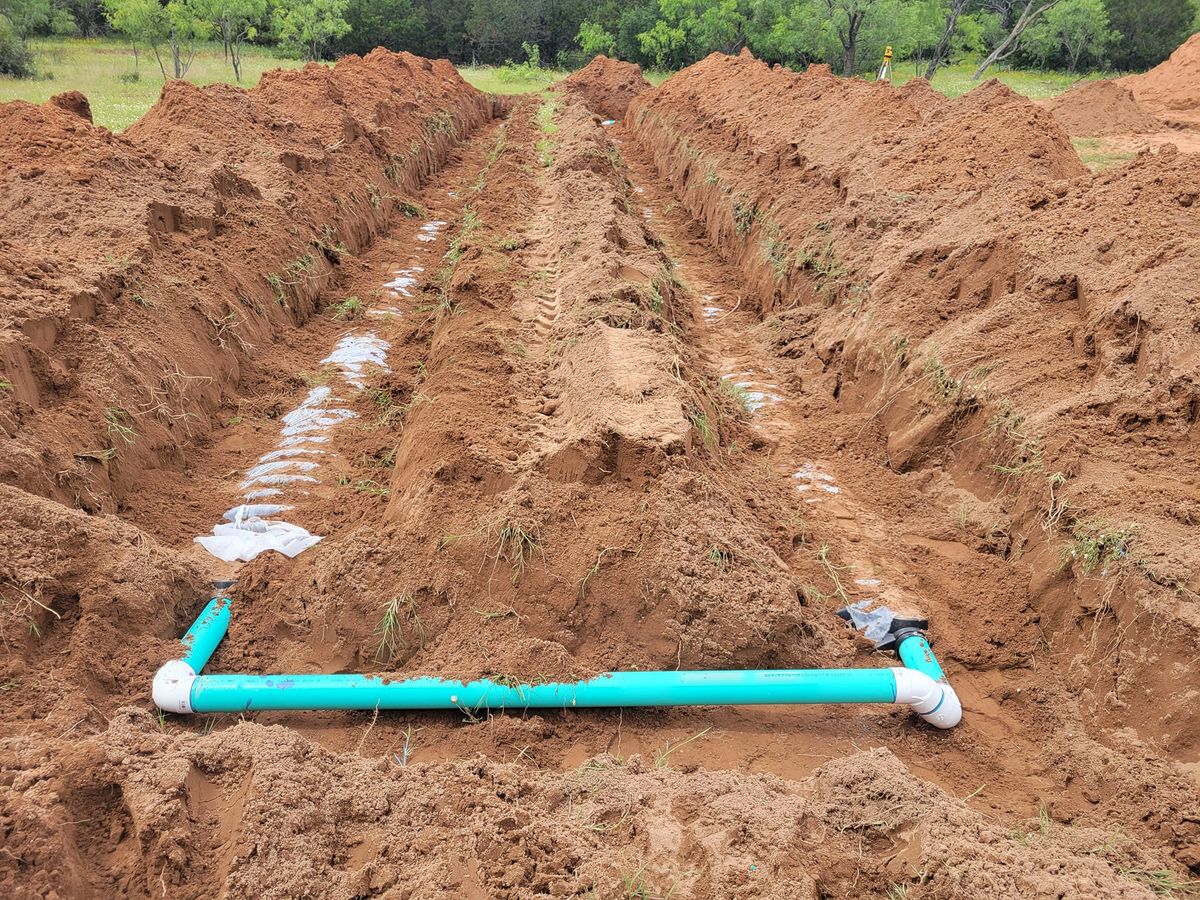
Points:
(104, 70)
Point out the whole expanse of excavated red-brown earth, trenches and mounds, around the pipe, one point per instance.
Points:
(649, 395)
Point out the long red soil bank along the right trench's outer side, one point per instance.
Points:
(1011, 334)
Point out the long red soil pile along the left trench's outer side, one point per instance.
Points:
(140, 272)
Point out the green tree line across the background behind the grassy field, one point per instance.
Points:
(850, 35)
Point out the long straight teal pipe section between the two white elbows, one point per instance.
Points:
(238, 693)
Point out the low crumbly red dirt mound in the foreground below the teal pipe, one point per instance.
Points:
(235, 814)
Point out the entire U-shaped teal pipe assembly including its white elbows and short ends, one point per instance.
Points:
(178, 688)
